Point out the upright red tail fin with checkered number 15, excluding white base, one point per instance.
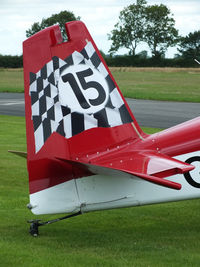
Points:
(72, 101)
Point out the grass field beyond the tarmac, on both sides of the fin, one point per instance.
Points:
(173, 84)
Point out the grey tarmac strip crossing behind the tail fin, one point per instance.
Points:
(159, 114)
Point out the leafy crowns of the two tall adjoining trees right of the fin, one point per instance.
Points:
(139, 22)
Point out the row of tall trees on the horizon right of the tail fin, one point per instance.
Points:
(154, 25)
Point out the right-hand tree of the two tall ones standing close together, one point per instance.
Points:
(160, 32)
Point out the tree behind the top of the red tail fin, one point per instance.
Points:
(60, 18)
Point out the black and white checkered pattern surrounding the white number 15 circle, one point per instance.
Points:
(50, 116)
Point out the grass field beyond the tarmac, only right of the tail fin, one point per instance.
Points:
(160, 85)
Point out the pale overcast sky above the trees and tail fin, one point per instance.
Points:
(16, 16)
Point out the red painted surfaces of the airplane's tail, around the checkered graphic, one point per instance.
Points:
(123, 147)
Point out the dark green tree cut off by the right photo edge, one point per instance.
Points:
(190, 45)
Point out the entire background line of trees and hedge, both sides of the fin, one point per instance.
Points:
(137, 24)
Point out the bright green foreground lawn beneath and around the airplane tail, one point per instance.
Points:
(158, 235)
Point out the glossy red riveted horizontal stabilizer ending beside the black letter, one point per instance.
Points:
(150, 163)
